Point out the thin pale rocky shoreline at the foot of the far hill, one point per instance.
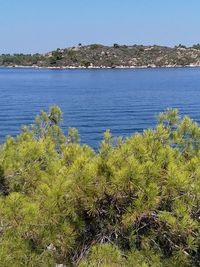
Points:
(101, 67)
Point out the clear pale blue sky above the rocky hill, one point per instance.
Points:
(31, 26)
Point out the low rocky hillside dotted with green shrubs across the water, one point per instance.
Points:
(97, 55)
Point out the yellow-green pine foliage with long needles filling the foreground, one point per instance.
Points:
(135, 202)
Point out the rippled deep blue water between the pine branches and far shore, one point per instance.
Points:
(124, 101)
